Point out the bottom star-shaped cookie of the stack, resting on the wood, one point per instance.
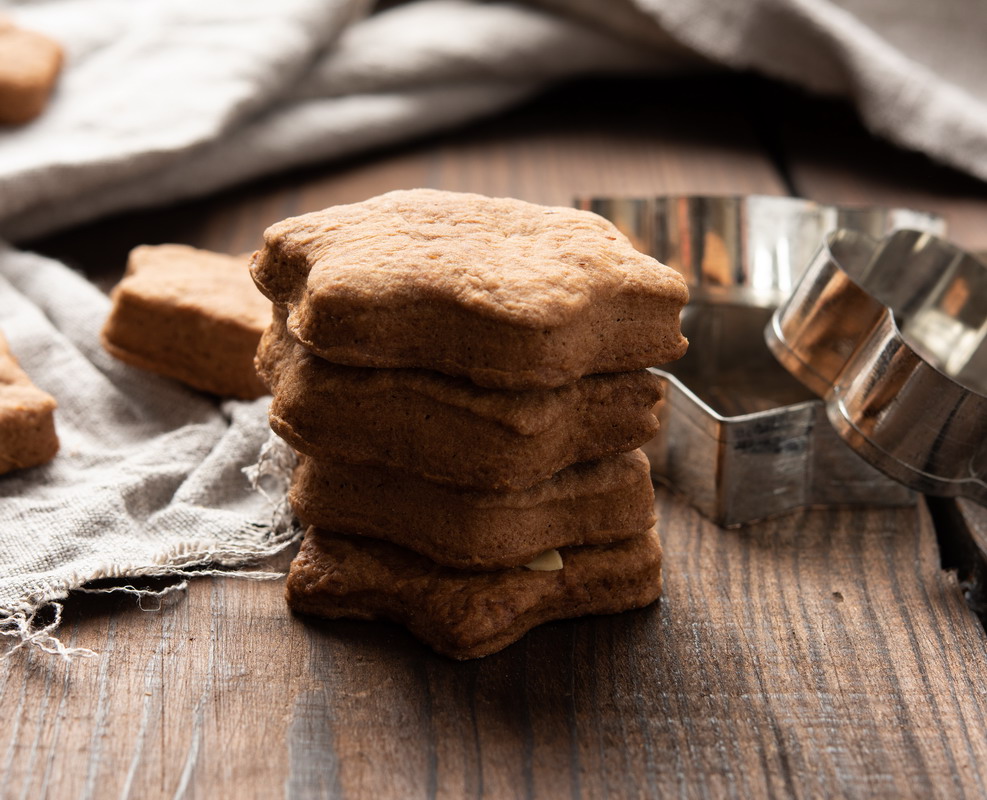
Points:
(466, 614)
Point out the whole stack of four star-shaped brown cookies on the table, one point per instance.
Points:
(464, 381)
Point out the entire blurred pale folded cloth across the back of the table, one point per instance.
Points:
(168, 99)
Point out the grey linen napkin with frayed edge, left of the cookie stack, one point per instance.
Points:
(149, 480)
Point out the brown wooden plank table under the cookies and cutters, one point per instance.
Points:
(822, 654)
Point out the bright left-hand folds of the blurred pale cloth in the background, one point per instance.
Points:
(164, 100)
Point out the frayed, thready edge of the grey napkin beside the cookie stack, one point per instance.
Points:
(258, 541)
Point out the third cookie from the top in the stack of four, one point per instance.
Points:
(590, 503)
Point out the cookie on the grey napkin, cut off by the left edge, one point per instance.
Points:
(27, 417)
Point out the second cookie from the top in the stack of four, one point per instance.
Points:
(418, 420)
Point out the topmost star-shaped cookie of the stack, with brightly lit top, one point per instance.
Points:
(509, 294)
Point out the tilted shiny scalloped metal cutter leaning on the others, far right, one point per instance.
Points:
(893, 335)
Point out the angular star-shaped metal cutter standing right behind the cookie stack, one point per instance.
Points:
(742, 439)
